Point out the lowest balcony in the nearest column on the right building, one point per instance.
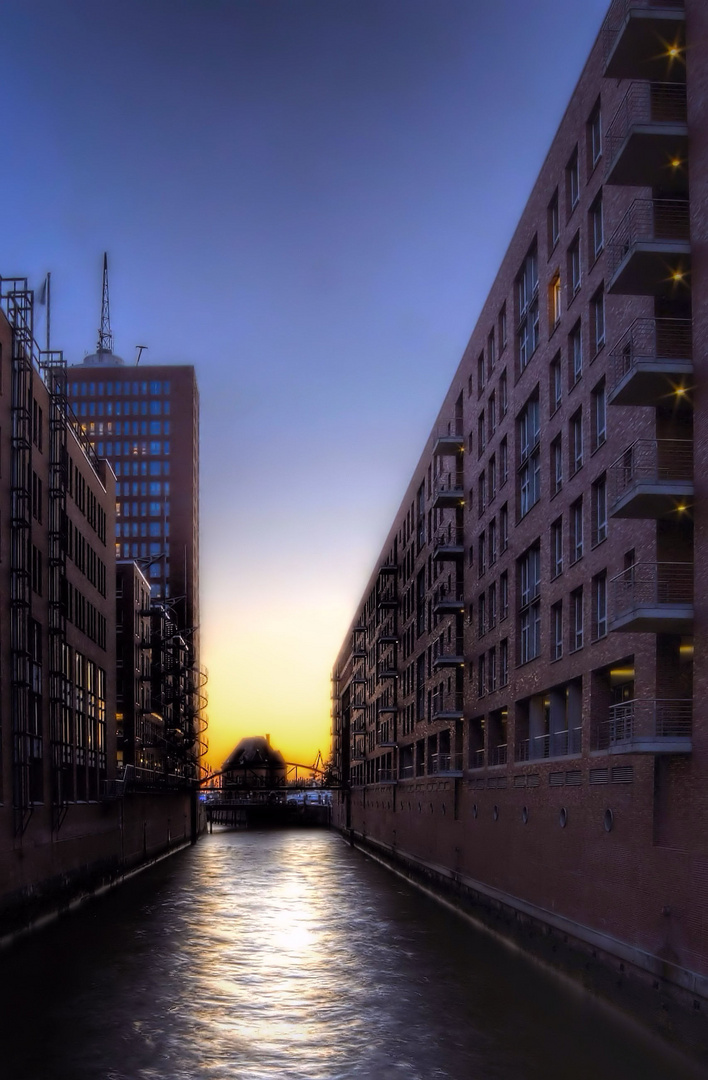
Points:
(649, 726)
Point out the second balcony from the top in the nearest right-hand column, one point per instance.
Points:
(647, 143)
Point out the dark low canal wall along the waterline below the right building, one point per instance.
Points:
(646, 989)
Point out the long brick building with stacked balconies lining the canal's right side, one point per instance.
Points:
(514, 703)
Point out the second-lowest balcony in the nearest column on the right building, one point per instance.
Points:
(653, 598)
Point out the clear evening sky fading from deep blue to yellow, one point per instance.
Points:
(309, 201)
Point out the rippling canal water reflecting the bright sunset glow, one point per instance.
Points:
(289, 955)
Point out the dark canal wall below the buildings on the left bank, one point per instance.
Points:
(48, 871)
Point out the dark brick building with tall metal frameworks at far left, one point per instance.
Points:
(58, 638)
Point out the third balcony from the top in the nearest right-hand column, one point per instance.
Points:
(650, 252)
